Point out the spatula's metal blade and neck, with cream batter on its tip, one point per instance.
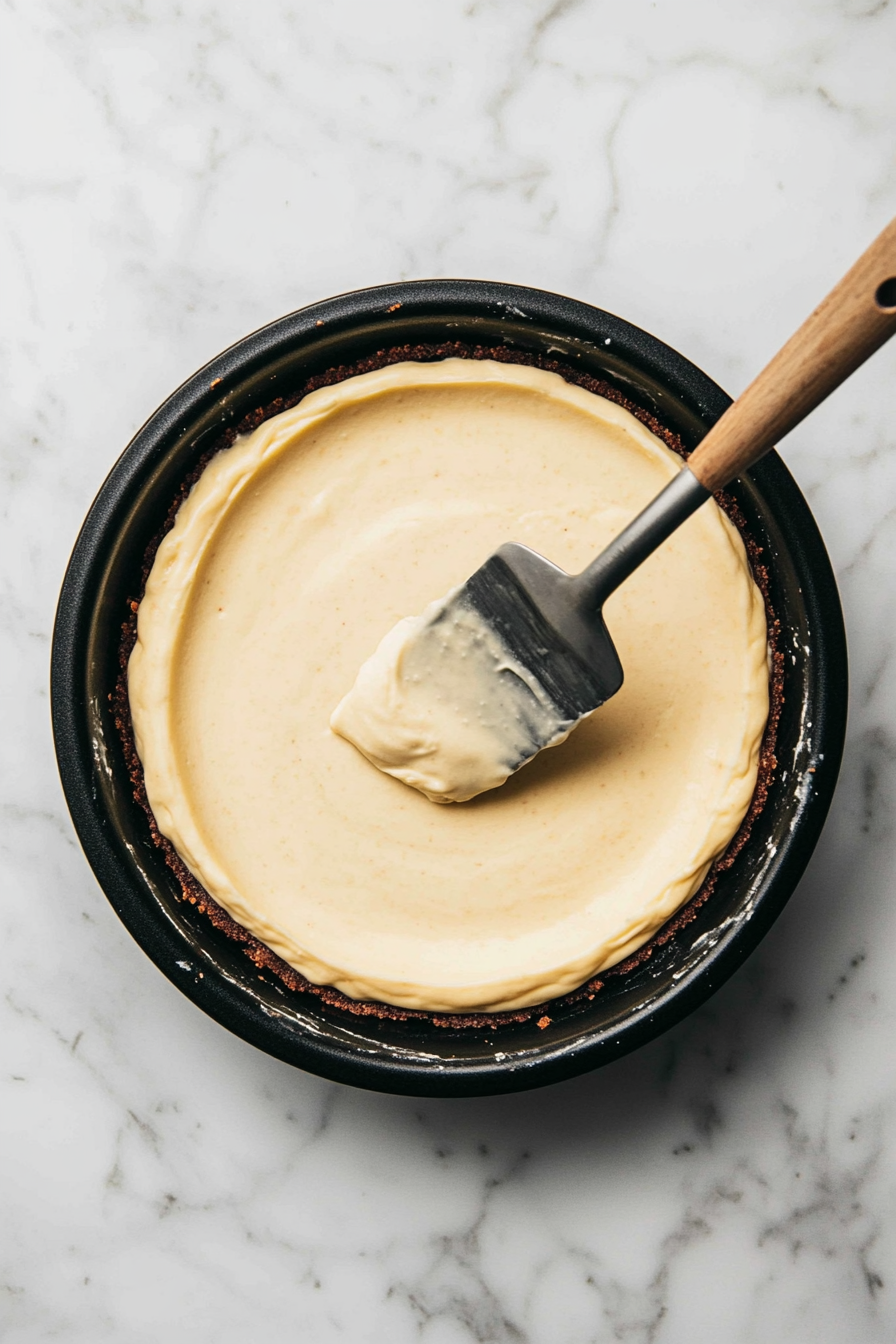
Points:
(456, 701)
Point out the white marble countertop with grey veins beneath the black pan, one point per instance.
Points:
(175, 175)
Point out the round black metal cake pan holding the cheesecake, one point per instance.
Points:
(418, 1057)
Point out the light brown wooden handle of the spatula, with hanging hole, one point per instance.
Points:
(851, 325)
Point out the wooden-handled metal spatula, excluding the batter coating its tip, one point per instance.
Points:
(553, 624)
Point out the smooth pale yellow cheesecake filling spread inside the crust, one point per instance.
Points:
(300, 549)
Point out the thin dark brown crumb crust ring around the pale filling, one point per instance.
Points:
(259, 952)
